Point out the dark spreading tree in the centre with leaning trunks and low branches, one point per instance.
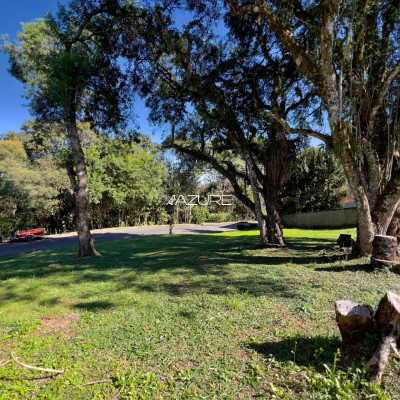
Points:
(217, 99)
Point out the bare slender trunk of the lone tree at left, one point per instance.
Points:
(86, 244)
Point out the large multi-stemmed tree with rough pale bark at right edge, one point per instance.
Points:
(351, 58)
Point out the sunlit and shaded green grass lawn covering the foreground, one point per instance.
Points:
(188, 317)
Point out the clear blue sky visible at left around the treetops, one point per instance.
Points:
(12, 112)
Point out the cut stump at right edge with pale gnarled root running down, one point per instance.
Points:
(387, 323)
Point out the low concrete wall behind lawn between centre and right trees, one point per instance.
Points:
(340, 218)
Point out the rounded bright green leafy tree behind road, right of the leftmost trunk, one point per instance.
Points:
(124, 177)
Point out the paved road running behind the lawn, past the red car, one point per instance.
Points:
(104, 235)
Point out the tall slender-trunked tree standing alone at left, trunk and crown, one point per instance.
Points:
(70, 72)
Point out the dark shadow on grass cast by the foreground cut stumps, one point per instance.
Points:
(309, 352)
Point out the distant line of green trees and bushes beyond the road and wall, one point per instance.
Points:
(130, 182)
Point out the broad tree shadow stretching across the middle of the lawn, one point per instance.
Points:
(201, 263)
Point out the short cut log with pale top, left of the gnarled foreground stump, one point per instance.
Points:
(353, 320)
